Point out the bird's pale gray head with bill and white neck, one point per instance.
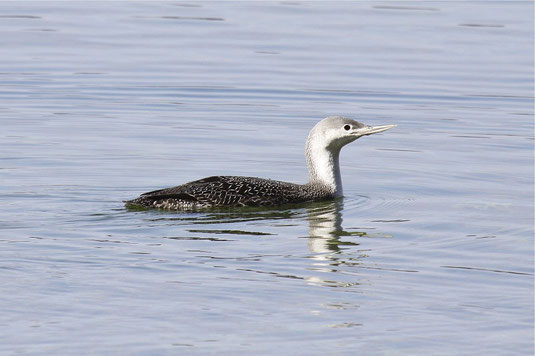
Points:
(323, 148)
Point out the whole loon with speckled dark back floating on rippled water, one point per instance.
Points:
(322, 151)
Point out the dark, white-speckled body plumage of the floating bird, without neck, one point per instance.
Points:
(230, 191)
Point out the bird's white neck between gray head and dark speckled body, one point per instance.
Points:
(324, 167)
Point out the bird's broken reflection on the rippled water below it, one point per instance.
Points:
(331, 258)
